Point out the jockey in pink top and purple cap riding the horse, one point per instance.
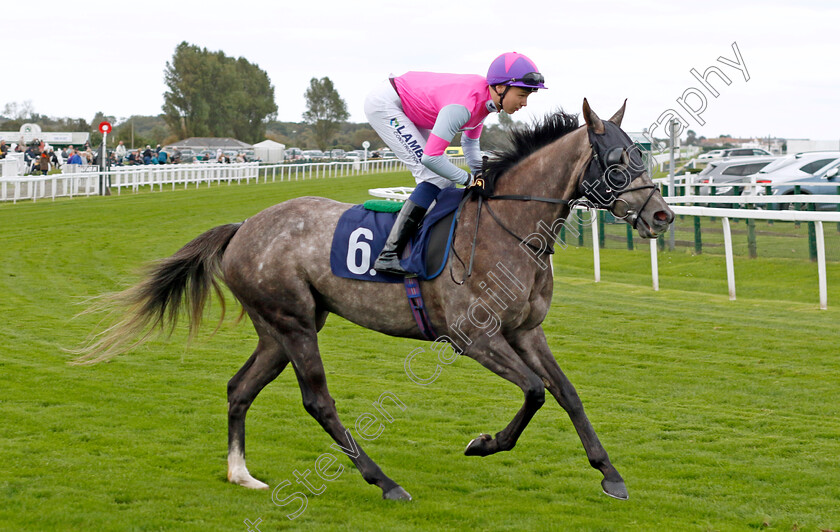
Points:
(417, 115)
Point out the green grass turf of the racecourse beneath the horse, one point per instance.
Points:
(720, 415)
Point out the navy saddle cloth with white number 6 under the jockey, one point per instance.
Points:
(360, 235)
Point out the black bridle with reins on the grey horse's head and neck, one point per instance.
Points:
(596, 189)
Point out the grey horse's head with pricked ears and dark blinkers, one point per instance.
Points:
(616, 177)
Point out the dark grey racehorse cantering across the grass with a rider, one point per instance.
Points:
(276, 264)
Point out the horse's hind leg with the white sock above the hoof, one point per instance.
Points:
(263, 367)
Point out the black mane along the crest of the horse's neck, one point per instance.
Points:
(525, 140)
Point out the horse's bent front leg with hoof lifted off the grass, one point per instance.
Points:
(495, 354)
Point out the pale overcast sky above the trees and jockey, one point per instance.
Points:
(77, 59)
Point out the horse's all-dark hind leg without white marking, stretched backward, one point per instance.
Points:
(302, 347)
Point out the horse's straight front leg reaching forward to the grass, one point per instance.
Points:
(533, 348)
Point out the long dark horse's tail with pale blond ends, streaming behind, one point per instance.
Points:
(183, 280)
